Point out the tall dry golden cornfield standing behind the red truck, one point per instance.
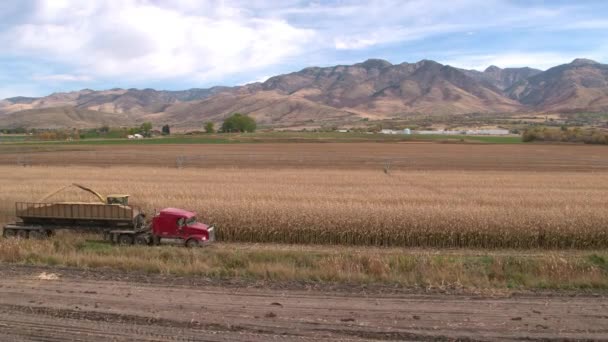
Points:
(449, 209)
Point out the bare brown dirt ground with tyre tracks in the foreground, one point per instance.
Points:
(46, 304)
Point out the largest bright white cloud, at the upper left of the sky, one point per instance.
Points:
(141, 40)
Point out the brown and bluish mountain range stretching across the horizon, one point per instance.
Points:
(342, 95)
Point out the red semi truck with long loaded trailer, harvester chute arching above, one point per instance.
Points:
(113, 216)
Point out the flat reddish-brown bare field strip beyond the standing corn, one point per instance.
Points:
(374, 156)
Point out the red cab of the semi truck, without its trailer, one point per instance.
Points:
(173, 223)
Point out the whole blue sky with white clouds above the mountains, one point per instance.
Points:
(64, 45)
